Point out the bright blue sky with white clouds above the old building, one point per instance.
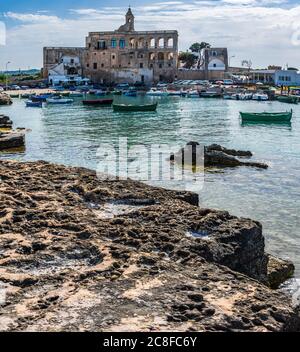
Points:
(267, 32)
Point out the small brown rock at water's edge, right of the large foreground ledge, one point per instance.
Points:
(279, 271)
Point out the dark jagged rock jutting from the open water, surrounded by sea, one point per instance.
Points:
(214, 156)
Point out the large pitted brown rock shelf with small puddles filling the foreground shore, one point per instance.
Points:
(81, 254)
